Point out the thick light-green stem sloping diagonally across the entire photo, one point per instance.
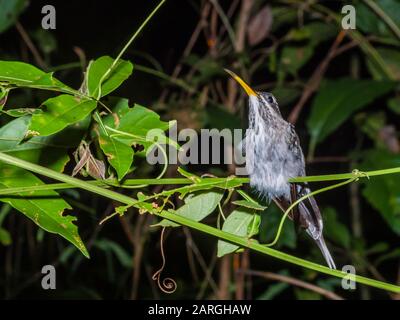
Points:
(240, 241)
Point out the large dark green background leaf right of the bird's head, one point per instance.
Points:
(337, 101)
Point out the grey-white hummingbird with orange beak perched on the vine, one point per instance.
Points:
(273, 156)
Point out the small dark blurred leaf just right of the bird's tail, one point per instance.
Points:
(334, 229)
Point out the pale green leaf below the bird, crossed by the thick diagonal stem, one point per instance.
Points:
(237, 223)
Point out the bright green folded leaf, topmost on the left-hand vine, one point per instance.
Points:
(97, 71)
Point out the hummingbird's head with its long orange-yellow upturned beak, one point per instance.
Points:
(263, 101)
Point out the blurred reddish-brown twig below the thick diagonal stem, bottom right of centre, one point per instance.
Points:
(293, 281)
